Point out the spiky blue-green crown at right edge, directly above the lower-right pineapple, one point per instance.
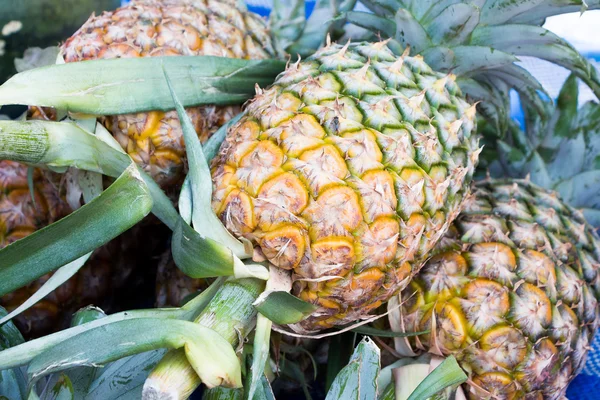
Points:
(562, 153)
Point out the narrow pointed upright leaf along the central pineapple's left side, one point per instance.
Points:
(203, 218)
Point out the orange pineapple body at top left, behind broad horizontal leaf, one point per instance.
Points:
(147, 28)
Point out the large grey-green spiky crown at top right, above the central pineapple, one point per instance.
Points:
(479, 41)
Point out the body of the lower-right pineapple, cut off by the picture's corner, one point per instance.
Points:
(511, 292)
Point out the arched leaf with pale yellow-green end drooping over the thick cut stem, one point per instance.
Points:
(212, 357)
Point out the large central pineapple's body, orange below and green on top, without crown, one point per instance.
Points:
(347, 171)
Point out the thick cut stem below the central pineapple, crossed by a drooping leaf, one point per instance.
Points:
(231, 314)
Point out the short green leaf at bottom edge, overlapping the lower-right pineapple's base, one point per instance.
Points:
(447, 374)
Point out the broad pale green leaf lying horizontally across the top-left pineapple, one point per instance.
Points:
(131, 85)
